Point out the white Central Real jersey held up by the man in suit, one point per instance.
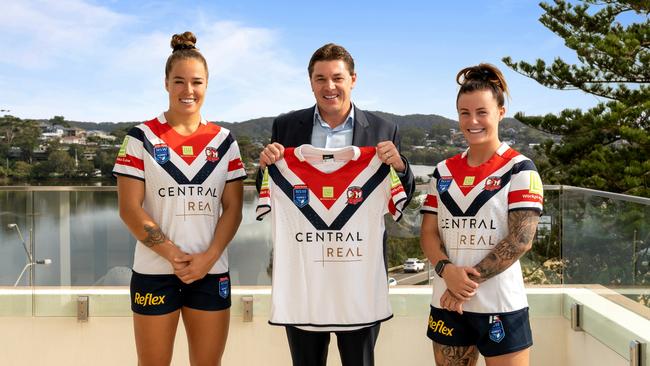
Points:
(327, 209)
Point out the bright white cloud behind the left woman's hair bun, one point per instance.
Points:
(251, 74)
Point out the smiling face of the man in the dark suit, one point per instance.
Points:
(332, 85)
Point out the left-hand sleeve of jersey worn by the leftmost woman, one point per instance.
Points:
(130, 157)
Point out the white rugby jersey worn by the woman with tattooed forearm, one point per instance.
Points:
(472, 205)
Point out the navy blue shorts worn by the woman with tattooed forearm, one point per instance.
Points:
(493, 334)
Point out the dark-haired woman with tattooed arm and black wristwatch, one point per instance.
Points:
(479, 218)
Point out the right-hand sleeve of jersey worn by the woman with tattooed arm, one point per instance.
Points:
(526, 190)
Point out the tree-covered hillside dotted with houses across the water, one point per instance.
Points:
(59, 152)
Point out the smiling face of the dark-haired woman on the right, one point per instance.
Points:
(479, 115)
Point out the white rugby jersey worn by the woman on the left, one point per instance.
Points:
(184, 178)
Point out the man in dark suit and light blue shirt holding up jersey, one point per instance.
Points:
(335, 122)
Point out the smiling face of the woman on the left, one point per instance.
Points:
(186, 85)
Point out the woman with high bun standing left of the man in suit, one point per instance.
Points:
(180, 192)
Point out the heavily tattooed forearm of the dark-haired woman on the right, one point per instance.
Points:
(521, 226)
